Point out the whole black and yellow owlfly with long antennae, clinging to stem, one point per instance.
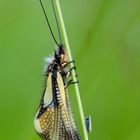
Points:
(54, 119)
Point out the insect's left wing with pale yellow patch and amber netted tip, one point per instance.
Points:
(44, 118)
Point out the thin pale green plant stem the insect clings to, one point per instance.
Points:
(58, 9)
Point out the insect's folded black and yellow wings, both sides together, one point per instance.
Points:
(54, 119)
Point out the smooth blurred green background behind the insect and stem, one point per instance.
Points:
(104, 36)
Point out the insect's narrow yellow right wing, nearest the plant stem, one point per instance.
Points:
(66, 112)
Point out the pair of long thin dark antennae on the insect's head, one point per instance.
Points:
(44, 11)
